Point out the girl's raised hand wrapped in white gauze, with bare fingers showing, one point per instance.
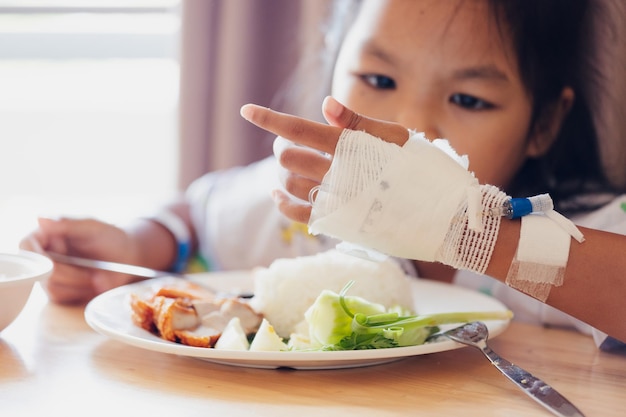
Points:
(423, 199)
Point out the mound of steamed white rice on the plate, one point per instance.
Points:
(289, 286)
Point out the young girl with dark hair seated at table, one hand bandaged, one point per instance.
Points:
(491, 77)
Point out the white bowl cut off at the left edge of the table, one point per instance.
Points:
(18, 273)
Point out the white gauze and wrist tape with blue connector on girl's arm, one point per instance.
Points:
(419, 201)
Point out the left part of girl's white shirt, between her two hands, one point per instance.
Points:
(237, 223)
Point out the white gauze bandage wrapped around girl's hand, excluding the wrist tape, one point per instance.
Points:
(418, 201)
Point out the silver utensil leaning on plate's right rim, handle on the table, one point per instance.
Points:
(475, 334)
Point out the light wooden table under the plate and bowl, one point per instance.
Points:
(52, 362)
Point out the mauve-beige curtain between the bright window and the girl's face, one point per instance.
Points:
(235, 52)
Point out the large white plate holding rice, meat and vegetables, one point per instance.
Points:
(109, 314)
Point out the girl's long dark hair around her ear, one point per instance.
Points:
(548, 42)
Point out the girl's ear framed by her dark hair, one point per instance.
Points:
(547, 127)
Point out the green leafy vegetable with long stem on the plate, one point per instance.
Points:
(341, 322)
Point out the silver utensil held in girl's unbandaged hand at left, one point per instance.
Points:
(135, 270)
